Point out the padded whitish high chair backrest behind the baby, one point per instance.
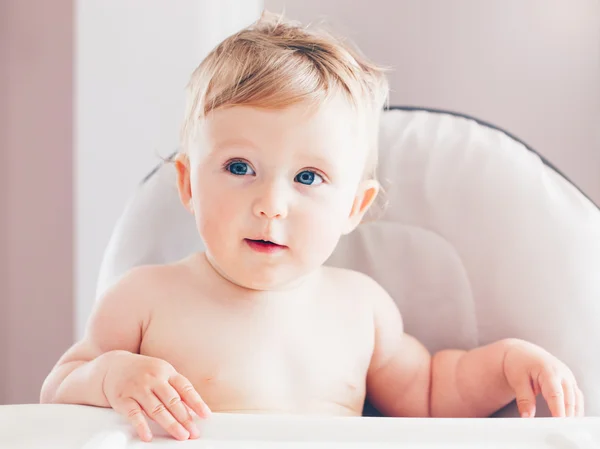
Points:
(481, 240)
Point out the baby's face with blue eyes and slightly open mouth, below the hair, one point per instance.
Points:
(273, 190)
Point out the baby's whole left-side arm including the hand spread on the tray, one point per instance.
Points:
(105, 368)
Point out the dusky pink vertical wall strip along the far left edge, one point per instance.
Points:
(36, 223)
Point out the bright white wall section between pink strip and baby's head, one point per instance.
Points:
(133, 60)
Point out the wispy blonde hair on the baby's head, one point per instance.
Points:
(275, 63)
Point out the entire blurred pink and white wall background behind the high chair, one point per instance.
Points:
(92, 94)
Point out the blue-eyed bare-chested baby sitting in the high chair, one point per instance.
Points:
(278, 161)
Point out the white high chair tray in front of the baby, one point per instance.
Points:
(70, 426)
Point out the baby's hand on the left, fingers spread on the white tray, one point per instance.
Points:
(136, 384)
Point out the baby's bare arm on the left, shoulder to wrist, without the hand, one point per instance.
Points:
(115, 325)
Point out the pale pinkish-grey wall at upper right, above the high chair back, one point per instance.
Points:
(529, 66)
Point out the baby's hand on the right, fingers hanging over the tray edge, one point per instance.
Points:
(530, 370)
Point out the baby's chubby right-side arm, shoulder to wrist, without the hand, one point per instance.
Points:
(405, 380)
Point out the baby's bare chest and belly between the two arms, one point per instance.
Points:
(255, 359)
